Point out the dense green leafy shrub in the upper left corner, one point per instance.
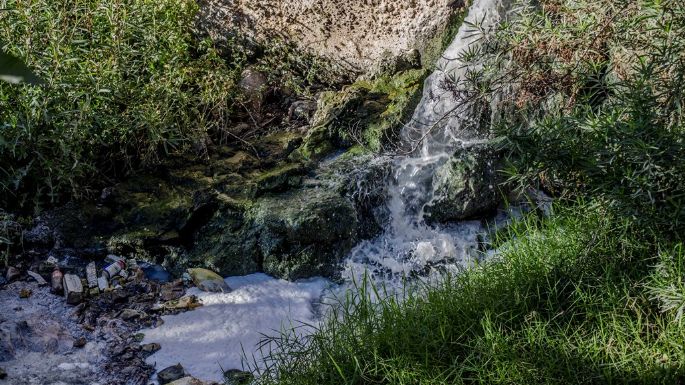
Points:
(125, 81)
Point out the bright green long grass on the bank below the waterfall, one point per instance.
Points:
(569, 299)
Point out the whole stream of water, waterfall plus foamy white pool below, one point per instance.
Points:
(214, 337)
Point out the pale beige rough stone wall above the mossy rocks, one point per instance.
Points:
(355, 34)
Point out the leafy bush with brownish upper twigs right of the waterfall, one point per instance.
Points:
(590, 96)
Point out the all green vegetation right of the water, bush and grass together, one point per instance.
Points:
(593, 293)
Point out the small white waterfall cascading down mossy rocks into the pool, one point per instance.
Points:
(440, 125)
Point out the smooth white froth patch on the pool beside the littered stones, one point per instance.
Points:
(213, 336)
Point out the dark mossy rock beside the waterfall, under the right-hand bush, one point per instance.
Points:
(465, 186)
